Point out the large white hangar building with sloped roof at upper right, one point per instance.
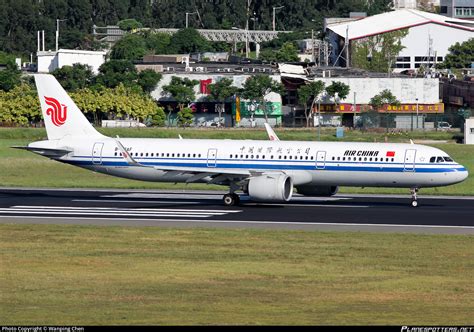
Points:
(427, 42)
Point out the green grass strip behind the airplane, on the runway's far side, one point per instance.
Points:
(24, 169)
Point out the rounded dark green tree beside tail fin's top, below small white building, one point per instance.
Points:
(72, 78)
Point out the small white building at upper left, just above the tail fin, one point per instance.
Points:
(48, 61)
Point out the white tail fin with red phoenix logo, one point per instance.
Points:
(61, 115)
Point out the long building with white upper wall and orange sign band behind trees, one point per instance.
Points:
(420, 104)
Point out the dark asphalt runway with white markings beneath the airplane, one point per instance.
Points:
(177, 208)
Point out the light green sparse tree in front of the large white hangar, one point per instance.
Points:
(377, 53)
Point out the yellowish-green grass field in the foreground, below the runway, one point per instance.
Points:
(75, 275)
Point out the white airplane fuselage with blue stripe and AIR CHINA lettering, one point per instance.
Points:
(307, 163)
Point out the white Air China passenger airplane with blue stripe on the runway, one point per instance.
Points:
(265, 170)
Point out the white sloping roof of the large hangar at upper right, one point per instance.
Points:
(396, 20)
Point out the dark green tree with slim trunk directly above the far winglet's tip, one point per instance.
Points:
(257, 87)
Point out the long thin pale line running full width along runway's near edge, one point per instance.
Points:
(253, 222)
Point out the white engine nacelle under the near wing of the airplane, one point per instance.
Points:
(271, 188)
